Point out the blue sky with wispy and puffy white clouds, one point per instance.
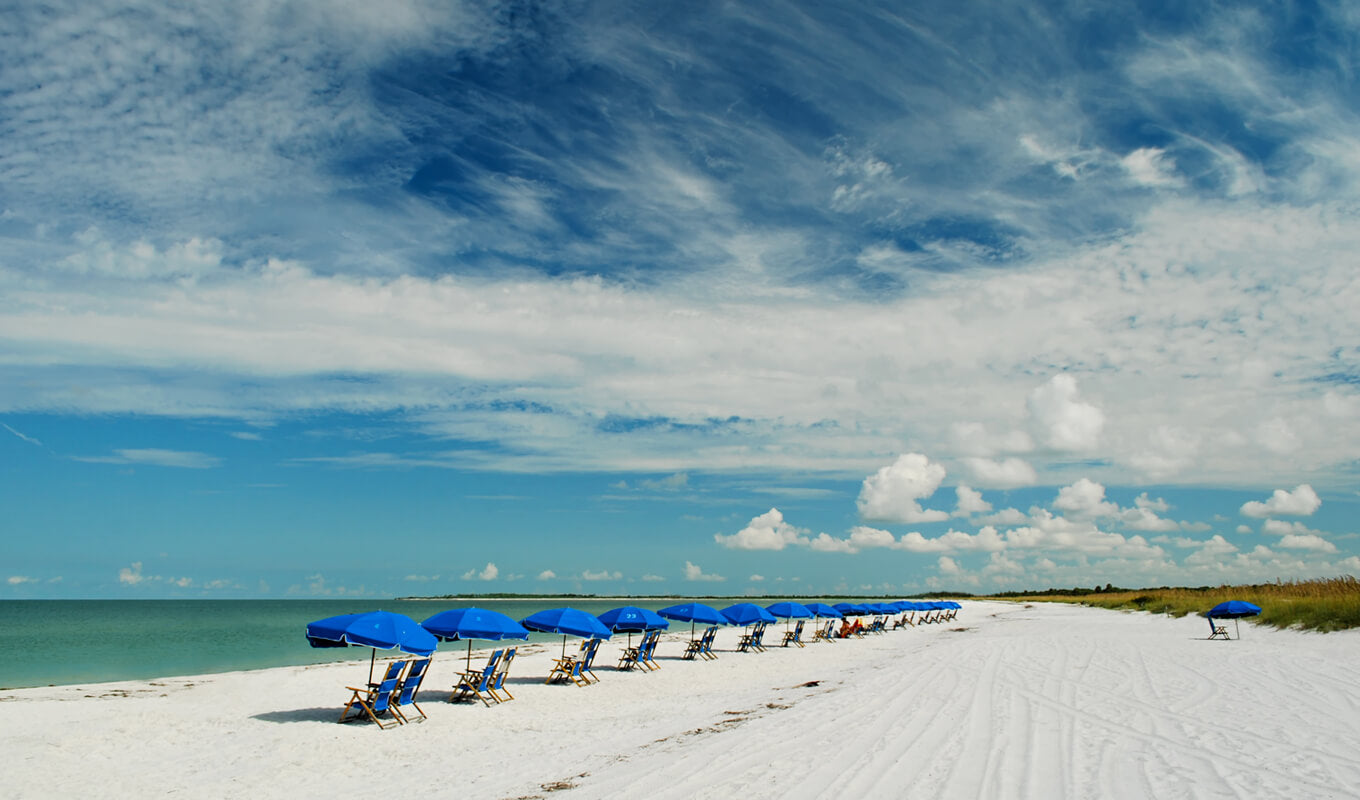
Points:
(341, 300)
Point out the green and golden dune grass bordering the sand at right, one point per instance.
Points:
(1324, 605)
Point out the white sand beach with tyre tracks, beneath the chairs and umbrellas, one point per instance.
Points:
(1008, 701)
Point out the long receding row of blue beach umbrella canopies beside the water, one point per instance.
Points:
(386, 631)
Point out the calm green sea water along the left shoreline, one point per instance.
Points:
(85, 641)
